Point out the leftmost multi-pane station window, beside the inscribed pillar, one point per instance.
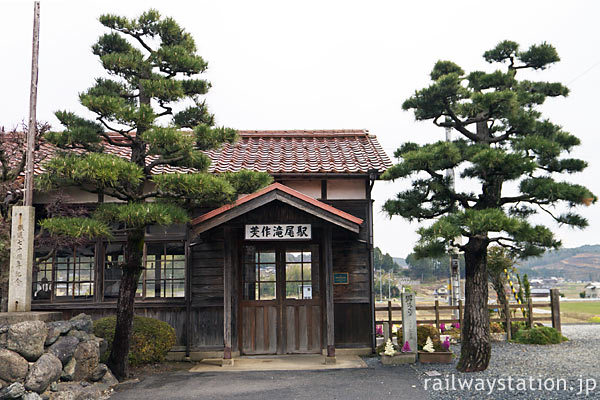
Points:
(68, 273)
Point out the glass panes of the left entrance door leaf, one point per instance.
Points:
(260, 275)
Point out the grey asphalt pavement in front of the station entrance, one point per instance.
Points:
(374, 382)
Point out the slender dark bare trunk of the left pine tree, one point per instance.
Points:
(132, 268)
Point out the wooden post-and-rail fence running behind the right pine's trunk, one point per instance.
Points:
(554, 305)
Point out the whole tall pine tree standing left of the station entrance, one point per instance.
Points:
(153, 68)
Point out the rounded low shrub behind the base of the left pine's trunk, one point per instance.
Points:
(151, 339)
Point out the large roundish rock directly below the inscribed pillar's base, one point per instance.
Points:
(27, 338)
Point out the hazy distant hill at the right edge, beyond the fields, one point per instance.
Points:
(579, 263)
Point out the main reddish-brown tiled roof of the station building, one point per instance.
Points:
(281, 152)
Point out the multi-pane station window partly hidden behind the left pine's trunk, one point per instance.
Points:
(163, 275)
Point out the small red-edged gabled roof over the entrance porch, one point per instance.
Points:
(274, 187)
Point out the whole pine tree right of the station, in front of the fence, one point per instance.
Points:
(502, 139)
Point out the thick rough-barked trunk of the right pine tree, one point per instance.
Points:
(476, 348)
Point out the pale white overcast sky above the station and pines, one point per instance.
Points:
(324, 65)
